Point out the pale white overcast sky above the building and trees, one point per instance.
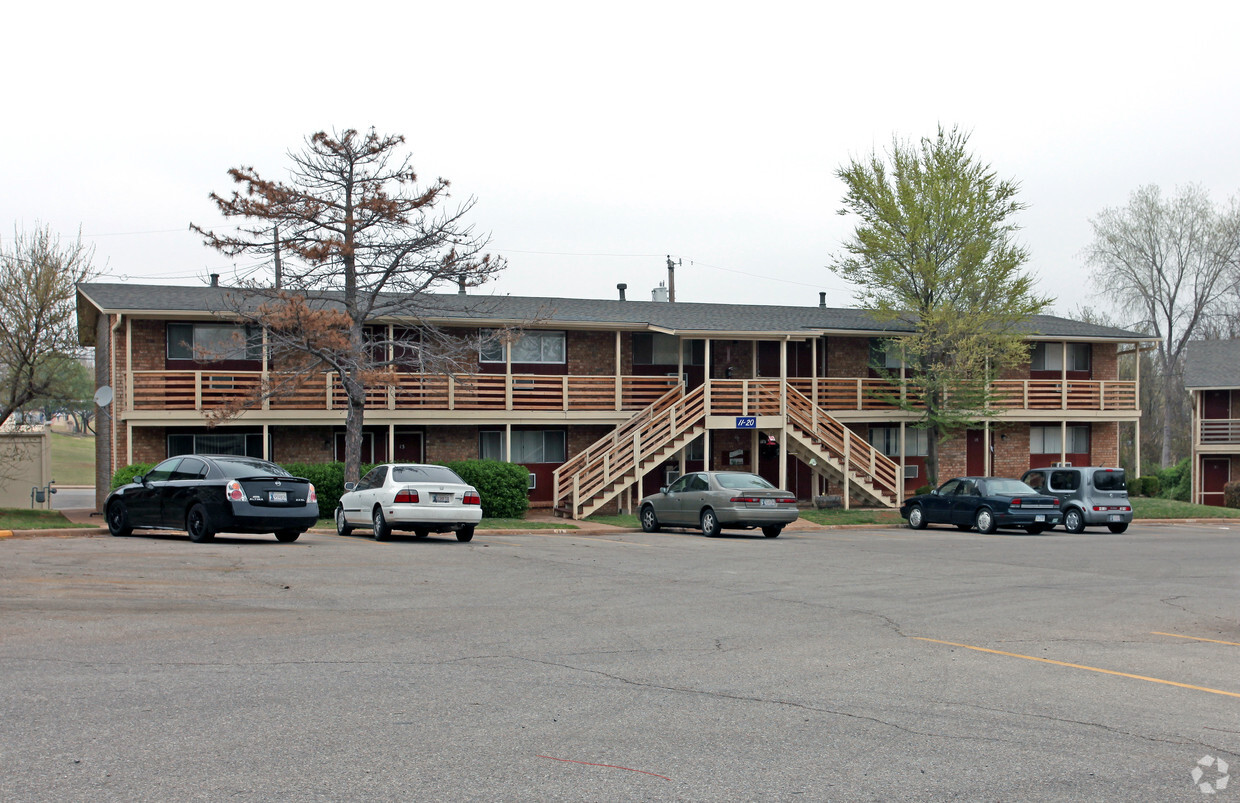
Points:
(598, 138)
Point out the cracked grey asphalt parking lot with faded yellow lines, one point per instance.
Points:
(844, 665)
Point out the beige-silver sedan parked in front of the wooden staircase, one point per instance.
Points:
(712, 501)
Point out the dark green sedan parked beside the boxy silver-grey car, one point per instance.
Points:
(988, 504)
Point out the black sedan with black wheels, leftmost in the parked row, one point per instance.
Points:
(205, 495)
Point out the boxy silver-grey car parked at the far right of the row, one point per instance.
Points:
(1089, 496)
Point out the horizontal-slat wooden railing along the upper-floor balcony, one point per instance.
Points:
(200, 390)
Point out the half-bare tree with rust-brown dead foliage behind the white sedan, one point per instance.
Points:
(353, 239)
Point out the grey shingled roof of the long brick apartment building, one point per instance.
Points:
(684, 318)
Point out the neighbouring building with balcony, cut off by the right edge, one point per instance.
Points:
(1212, 376)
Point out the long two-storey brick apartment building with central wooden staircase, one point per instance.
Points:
(606, 401)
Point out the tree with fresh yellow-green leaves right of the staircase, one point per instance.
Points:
(934, 258)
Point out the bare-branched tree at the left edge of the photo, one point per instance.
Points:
(39, 276)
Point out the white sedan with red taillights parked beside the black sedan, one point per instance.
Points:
(410, 498)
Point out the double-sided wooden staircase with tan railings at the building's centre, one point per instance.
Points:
(619, 462)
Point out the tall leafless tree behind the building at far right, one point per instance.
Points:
(1174, 265)
